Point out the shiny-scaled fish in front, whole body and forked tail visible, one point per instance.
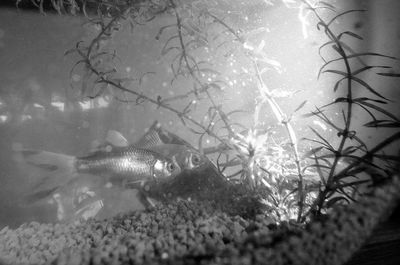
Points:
(122, 165)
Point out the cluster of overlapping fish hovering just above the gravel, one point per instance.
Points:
(113, 171)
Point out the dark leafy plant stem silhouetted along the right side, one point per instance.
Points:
(341, 184)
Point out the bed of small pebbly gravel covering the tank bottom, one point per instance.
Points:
(190, 232)
